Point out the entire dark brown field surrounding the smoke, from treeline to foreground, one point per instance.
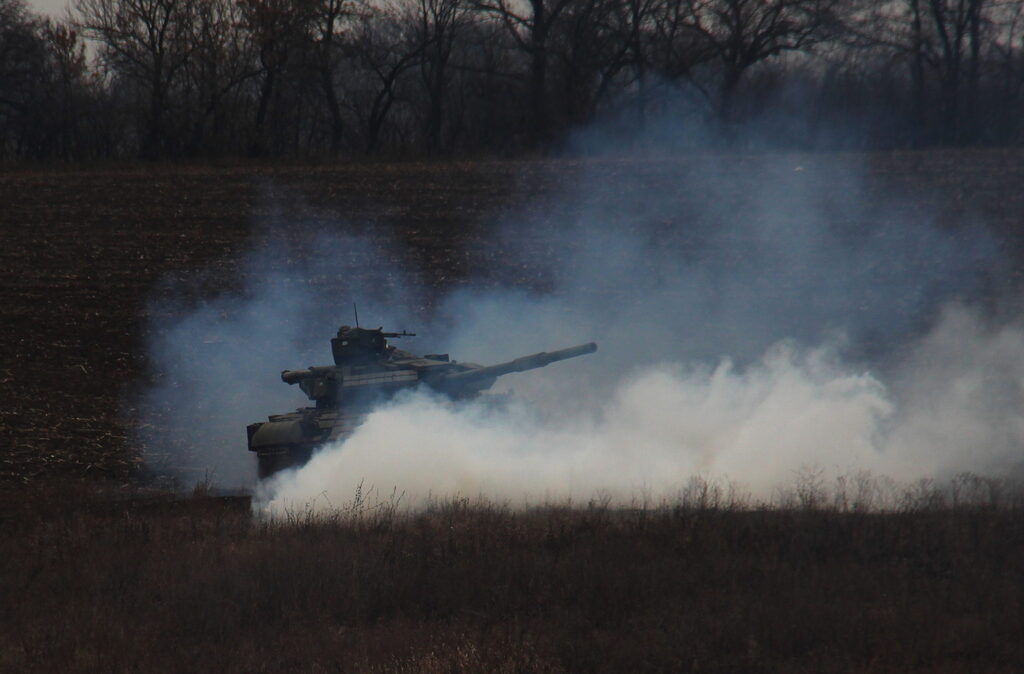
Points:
(97, 577)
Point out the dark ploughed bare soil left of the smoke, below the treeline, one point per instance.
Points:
(86, 254)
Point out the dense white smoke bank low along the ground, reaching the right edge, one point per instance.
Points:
(957, 407)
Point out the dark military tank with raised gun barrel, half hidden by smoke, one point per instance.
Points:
(367, 372)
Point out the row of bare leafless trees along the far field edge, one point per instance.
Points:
(308, 78)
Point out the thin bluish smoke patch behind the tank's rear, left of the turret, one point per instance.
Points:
(218, 361)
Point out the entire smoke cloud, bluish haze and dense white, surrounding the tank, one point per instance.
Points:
(795, 318)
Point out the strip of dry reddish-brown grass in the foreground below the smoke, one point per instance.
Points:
(698, 585)
